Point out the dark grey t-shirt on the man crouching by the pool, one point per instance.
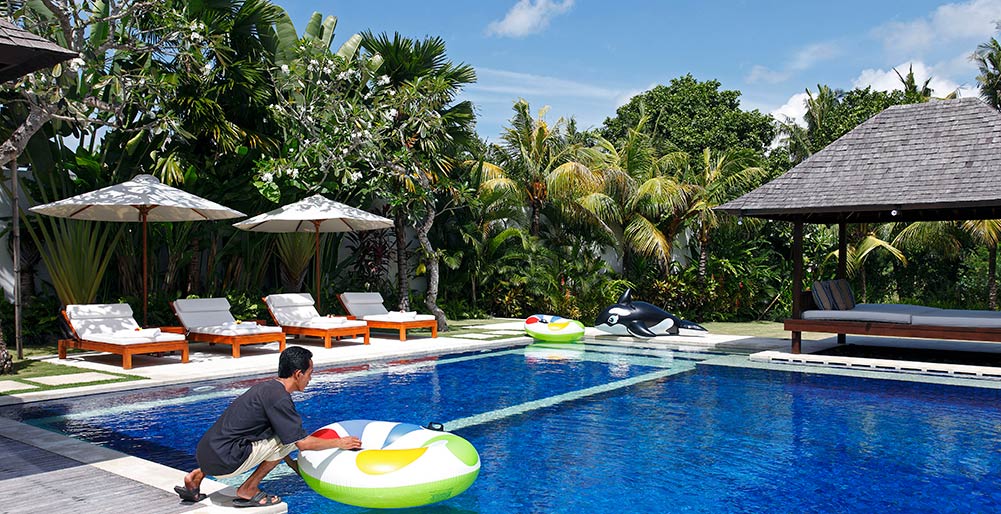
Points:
(264, 411)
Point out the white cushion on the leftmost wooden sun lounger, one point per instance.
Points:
(114, 323)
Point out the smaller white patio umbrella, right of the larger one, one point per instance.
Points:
(315, 215)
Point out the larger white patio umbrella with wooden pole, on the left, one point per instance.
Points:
(144, 199)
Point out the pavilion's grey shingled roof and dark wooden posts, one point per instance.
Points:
(939, 161)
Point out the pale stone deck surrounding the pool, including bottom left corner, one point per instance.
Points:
(49, 472)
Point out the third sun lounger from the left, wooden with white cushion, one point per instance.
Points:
(296, 314)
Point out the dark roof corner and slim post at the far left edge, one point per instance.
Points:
(23, 53)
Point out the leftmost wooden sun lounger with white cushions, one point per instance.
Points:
(111, 328)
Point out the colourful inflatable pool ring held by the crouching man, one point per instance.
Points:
(400, 465)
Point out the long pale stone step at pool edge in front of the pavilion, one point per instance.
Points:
(881, 365)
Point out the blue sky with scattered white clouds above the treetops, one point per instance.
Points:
(584, 59)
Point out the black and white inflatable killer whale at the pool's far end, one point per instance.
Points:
(643, 320)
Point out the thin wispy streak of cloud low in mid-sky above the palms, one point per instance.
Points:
(518, 85)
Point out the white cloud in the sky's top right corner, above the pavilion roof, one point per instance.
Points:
(970, 22)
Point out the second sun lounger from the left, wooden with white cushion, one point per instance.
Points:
(209, 320)
